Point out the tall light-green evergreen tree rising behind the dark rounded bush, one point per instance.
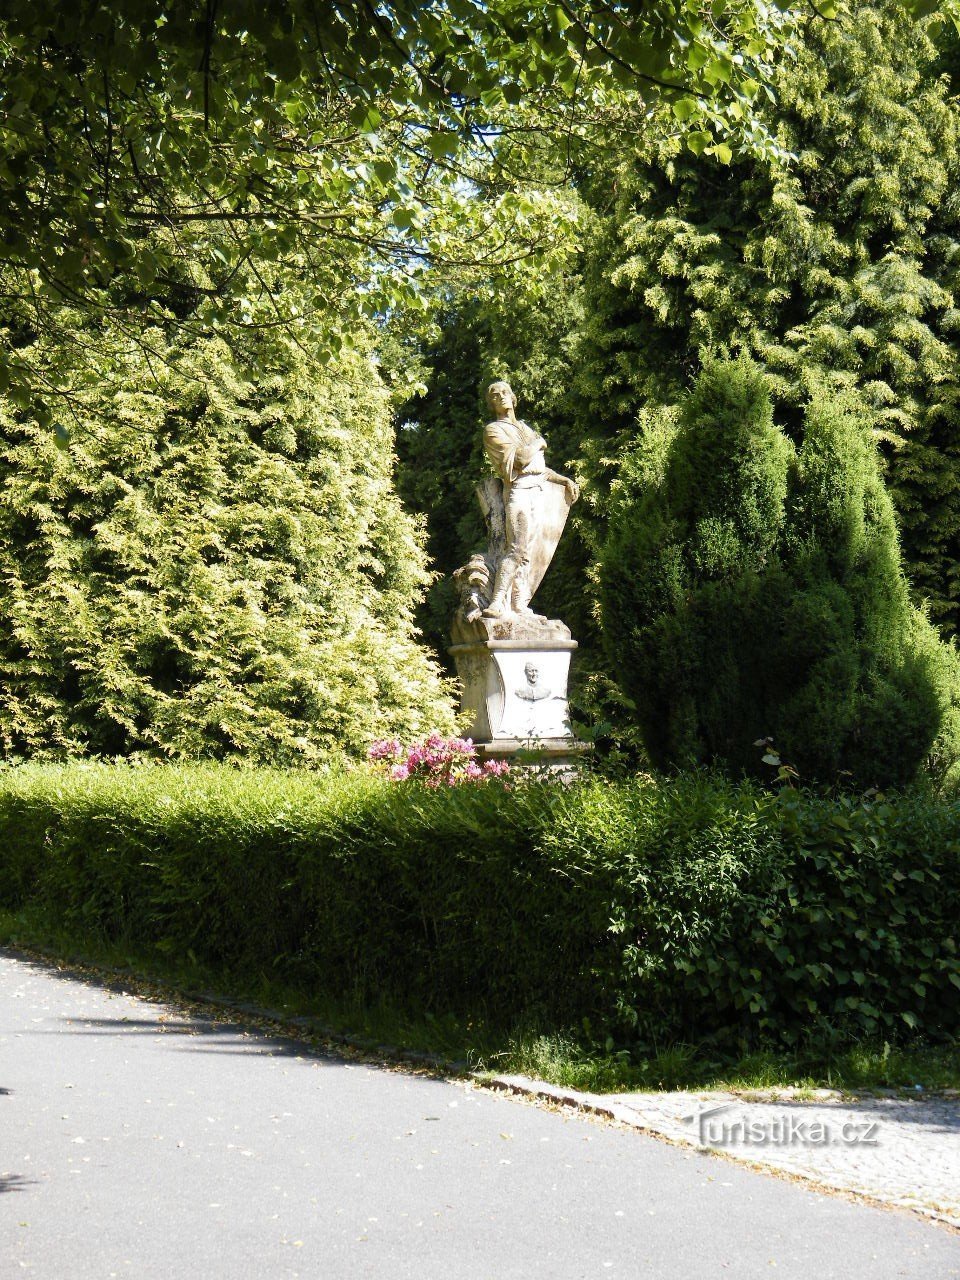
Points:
(843, 260)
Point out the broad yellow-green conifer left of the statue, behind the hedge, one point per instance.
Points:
(214, 564)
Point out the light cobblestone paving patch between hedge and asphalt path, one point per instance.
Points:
(897, 1151)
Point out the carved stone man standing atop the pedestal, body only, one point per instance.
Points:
(516, 454)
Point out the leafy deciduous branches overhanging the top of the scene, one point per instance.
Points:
(341, 131)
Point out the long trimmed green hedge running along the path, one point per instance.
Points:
(657, 909)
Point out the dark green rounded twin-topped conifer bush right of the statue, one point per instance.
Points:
(753, 591)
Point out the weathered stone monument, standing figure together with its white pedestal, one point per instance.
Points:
(514, 664)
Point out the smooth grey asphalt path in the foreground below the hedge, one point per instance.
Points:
(136, 1141)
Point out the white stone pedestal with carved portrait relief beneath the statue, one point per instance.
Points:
(518, 692)
